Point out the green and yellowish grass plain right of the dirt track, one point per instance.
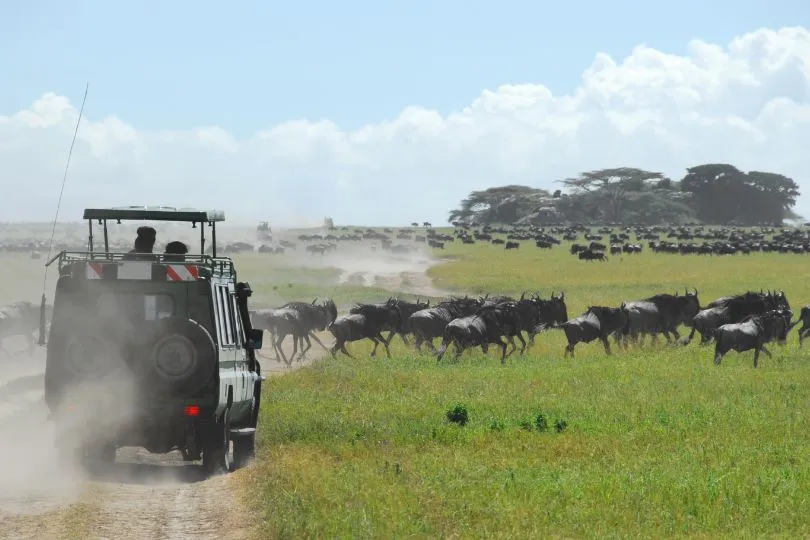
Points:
(659, 442)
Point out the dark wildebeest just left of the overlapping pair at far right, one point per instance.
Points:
(661, 313)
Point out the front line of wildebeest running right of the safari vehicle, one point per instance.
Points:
(741, 322)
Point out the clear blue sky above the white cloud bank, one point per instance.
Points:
(249, 65)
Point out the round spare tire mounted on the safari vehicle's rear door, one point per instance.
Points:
(181, 359)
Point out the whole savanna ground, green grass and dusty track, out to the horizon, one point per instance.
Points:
(652, 441)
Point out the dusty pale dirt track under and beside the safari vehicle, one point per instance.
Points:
(142, 495)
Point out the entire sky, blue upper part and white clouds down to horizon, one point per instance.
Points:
(166, 68)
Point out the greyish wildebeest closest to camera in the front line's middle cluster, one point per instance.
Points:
(488, 325)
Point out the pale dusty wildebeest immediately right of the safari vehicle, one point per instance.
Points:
(299, 319)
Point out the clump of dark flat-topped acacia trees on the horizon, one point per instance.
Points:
(714, 194)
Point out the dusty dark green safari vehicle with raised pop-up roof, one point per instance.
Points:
(157, 352)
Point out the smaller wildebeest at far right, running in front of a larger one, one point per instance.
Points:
(752, 333)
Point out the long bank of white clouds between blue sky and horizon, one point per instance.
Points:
(747, 103)
